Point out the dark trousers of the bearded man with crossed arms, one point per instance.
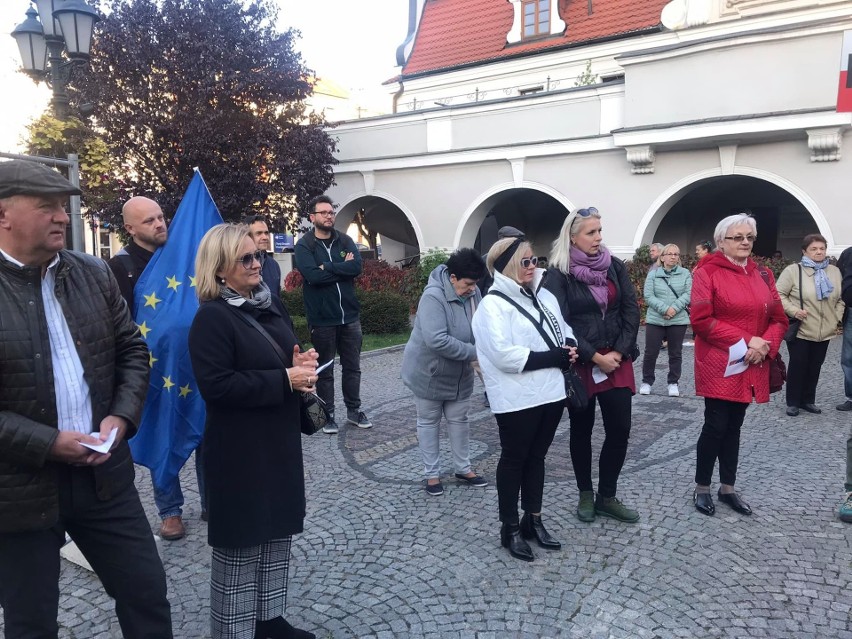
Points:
(346, 340)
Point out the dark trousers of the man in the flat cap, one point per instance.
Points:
(116, 540)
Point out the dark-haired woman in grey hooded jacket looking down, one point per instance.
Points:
(436, 365)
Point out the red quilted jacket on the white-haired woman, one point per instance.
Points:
(730, 303)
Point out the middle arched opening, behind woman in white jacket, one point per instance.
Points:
(536, 211)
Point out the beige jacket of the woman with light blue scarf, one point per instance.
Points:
(823, 315)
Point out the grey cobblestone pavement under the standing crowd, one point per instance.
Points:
(381, 558)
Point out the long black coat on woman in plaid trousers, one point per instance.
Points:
(252, 442)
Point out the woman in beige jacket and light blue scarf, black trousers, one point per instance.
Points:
(818, 305)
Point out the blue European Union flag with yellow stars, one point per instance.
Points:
(173, 418)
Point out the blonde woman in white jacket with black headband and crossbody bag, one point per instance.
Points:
(523, 378)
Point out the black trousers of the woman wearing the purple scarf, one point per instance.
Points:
(616, 410)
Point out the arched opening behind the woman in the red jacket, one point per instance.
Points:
(691, 215)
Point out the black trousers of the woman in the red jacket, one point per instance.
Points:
(719, 439)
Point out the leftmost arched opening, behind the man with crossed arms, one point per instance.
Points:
(399, 240)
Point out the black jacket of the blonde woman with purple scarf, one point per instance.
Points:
(595, 331)
